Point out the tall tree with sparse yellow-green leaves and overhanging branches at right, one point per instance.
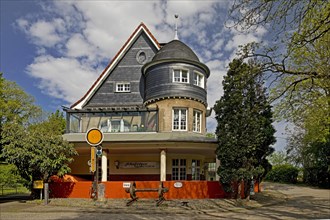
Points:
(297, 67)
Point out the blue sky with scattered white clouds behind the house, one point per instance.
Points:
(55, 50)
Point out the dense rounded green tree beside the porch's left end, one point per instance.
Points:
(38, 151)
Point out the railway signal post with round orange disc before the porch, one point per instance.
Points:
(94, 137)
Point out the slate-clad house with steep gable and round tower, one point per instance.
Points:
(151, 104)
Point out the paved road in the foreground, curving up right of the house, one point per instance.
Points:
(280, 202)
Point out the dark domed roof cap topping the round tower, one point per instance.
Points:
(175, 50)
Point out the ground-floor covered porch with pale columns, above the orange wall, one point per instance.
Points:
(148, 157)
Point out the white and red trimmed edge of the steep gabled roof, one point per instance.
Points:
(141, 28)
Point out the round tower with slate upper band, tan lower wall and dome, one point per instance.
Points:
(175, 83)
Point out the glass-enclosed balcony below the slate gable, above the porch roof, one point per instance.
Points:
(112, 122)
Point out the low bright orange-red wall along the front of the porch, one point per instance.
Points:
(189, 190)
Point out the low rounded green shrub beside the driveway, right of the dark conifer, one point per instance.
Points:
(284, 173)
